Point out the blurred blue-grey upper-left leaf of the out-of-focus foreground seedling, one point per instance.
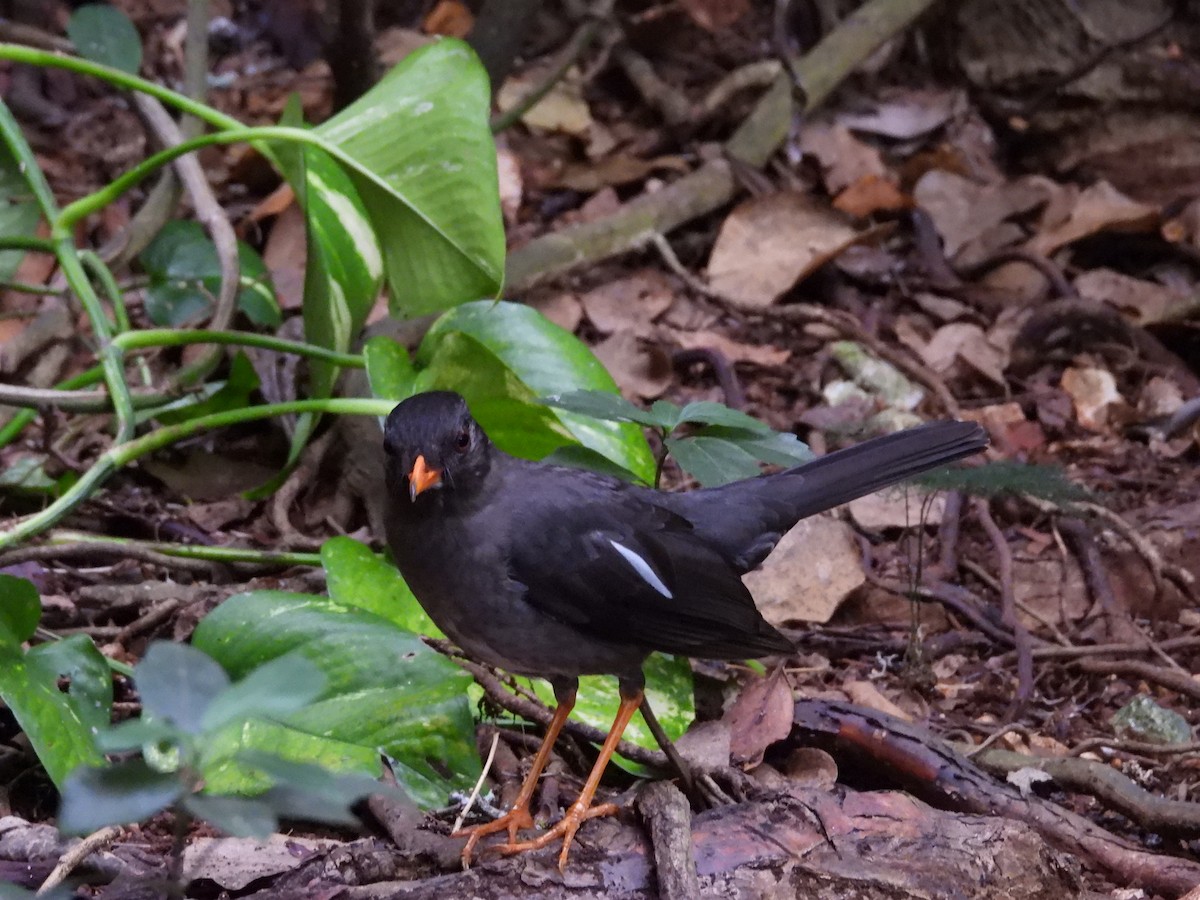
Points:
(178, 683)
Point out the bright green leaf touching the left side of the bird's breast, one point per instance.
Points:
(358, 578)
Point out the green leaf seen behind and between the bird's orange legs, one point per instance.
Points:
(669, 687)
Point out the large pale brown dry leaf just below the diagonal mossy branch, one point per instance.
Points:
(769, 244)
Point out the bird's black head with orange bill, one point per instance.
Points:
(435, 449)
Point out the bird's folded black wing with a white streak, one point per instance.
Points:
(619, 567)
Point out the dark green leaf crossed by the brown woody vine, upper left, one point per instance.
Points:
(185, 275)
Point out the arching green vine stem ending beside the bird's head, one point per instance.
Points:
(123, 454)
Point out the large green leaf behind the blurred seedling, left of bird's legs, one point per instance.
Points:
(386, 692)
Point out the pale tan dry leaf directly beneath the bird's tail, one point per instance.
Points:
(809, 574)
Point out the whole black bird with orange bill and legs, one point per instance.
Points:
(557, 573)
